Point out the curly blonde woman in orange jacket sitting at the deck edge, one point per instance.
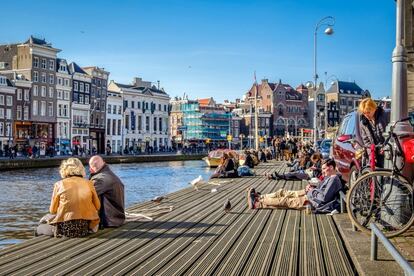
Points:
(74, 206)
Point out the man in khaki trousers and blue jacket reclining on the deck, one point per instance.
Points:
(322, 198)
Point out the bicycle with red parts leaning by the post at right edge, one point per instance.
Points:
(384, 196)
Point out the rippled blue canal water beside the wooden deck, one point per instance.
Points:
(25, 194)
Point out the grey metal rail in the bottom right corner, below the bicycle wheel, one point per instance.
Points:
(377, 234)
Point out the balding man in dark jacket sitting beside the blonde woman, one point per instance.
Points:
(110, 191)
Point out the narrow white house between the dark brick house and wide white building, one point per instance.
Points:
(114, 122)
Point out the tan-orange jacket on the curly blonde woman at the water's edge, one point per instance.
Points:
(75, 198)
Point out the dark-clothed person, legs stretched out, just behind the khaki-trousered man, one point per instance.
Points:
(303, 173)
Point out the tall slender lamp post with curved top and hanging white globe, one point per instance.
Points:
(329, 22)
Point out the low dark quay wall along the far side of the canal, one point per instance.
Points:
(46, 162)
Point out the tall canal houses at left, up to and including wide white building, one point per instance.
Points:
(45, 101)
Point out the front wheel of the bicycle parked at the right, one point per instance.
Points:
(383, 199)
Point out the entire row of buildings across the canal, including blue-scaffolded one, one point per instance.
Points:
(45, 101)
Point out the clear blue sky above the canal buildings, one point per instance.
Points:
(212, 48)
